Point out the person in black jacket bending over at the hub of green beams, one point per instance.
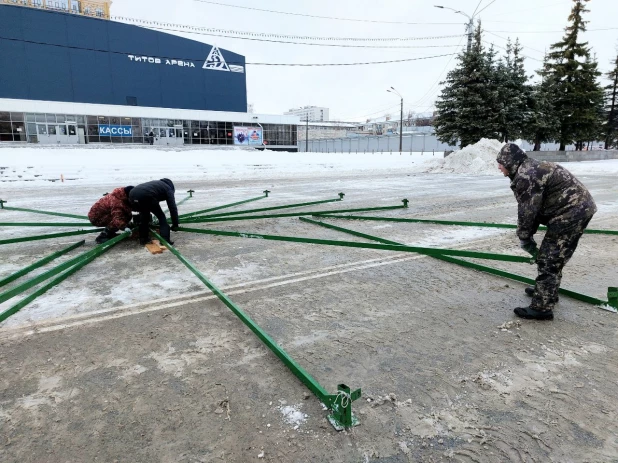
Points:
(145, 199)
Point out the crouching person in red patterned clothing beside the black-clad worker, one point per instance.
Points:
(112, 211)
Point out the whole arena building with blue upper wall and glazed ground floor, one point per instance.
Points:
(68, 75)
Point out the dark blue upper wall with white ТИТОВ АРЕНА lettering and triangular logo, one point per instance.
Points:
(55, 56)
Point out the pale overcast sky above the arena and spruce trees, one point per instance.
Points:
(359, 92)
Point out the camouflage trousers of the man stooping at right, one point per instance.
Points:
(556, 250)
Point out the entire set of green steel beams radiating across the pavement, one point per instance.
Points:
(340, 403)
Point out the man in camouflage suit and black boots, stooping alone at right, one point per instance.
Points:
(546, 194)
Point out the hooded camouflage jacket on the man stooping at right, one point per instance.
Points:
(546, 193)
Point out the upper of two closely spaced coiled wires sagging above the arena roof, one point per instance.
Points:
(213, 31)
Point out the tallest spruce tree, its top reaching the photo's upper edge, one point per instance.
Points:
(572, 71)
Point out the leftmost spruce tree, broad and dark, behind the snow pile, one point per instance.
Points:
(466, 106)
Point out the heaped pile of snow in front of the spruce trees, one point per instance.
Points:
(477, 159)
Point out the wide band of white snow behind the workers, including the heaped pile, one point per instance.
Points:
(29, 166)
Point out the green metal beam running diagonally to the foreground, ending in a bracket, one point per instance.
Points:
(340, 403)
